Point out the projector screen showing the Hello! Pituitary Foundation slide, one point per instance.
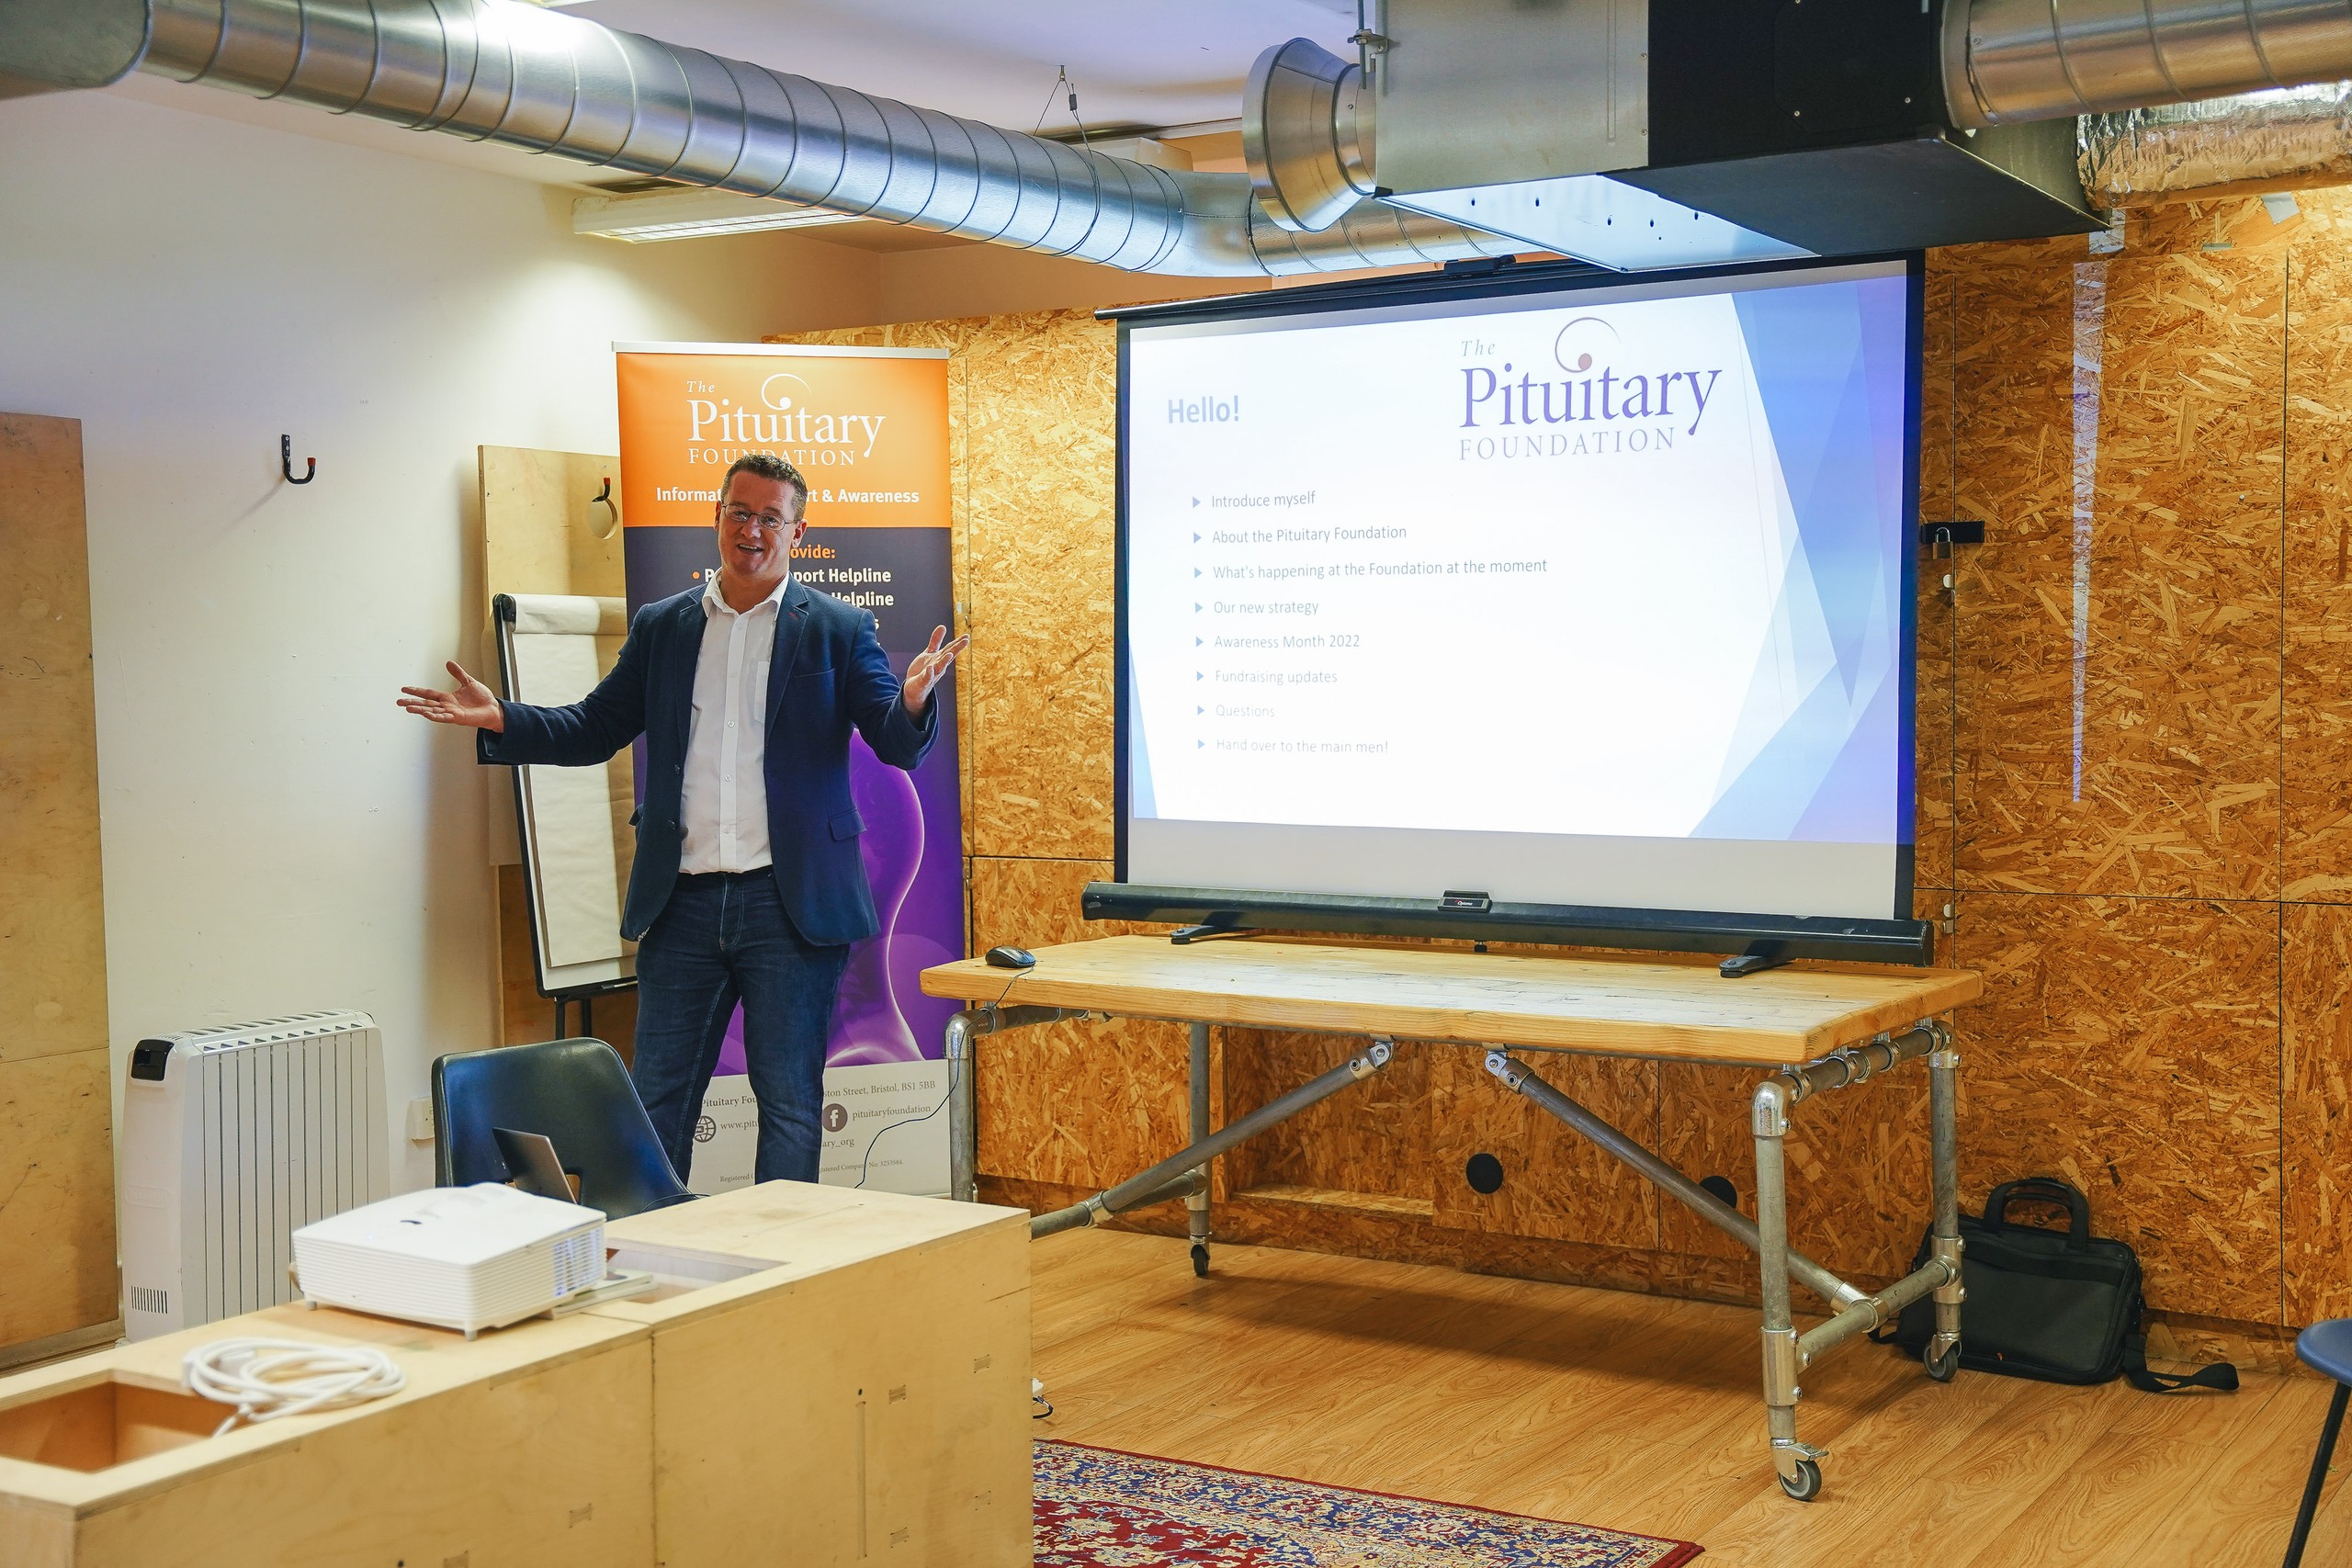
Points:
(1570, 596)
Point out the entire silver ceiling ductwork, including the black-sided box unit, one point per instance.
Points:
(1636, 133)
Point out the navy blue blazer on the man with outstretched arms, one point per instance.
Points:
(827, 676)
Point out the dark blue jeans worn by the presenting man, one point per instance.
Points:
(726, 939)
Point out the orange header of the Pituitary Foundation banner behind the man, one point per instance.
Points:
(869, 431)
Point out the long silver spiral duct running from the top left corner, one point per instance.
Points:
(563, 86)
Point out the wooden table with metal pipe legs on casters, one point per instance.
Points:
(1808, 1028)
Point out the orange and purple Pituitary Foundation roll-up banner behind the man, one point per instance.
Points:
(869, 429)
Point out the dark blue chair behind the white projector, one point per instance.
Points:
(577, 1094)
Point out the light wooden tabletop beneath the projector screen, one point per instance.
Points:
(1652, 1005)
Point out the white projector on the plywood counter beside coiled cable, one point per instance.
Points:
(453, 1257)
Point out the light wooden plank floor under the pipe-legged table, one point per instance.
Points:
(1643, 1414)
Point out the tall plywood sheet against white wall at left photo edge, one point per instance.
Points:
(55, 1101)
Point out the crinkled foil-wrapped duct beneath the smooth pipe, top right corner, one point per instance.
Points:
(2294, 133)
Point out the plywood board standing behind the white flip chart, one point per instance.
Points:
(544, 532)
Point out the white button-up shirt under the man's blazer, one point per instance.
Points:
(726, 789)
